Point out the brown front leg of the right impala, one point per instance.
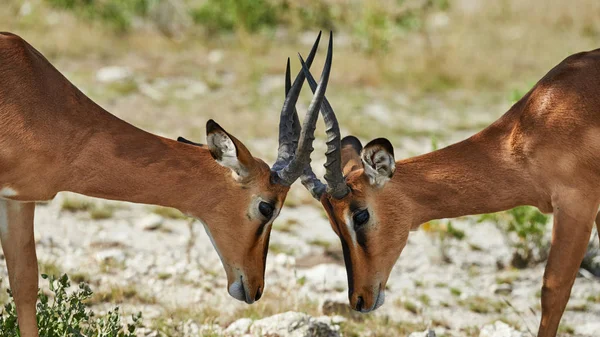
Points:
(570, 236)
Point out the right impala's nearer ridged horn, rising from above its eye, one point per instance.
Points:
(336, 185)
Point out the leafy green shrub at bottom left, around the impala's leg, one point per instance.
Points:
(66, 315)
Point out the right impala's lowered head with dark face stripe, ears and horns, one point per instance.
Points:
(364, 214)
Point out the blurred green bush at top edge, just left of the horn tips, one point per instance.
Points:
(231, 15)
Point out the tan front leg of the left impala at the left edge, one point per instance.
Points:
(18, 244)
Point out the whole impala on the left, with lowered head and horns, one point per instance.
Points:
(53, 138)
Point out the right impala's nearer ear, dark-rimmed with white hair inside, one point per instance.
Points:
(378, 161)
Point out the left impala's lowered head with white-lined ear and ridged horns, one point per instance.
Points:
(245, 205)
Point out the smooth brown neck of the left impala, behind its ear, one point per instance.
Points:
(122, 162)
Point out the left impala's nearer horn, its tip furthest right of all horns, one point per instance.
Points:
(302, 158)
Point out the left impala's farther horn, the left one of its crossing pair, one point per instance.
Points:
(289, 127)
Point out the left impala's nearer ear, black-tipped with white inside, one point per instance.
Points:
(228, 151)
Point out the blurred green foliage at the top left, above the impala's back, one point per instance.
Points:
(117, 13)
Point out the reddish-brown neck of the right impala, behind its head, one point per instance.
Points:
(474, 176)
